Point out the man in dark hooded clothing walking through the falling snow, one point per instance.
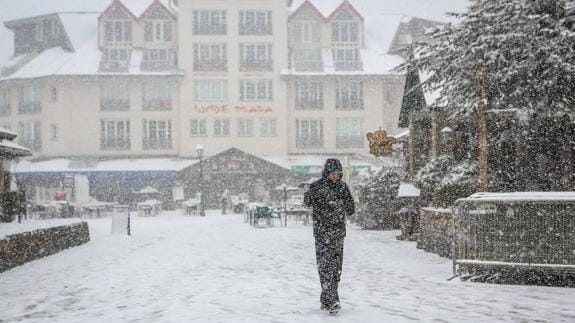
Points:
(332, 202)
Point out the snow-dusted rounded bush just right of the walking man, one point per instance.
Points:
(377, 206)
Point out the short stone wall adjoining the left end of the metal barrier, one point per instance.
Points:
(436, 231)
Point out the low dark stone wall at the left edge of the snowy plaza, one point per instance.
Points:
(18, 249)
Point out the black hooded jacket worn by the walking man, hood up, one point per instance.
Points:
(331, 203)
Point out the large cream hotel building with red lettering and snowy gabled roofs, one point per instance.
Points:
(287, 81)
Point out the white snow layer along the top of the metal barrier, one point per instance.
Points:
(522, 196)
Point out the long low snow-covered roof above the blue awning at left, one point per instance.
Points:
(113, 165)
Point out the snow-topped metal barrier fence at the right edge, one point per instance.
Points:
(505, 231)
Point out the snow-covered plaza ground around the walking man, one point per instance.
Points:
(217, 269)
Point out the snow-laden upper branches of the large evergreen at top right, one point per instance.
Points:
(526, 48)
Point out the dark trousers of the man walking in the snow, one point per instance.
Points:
(329, 257)
